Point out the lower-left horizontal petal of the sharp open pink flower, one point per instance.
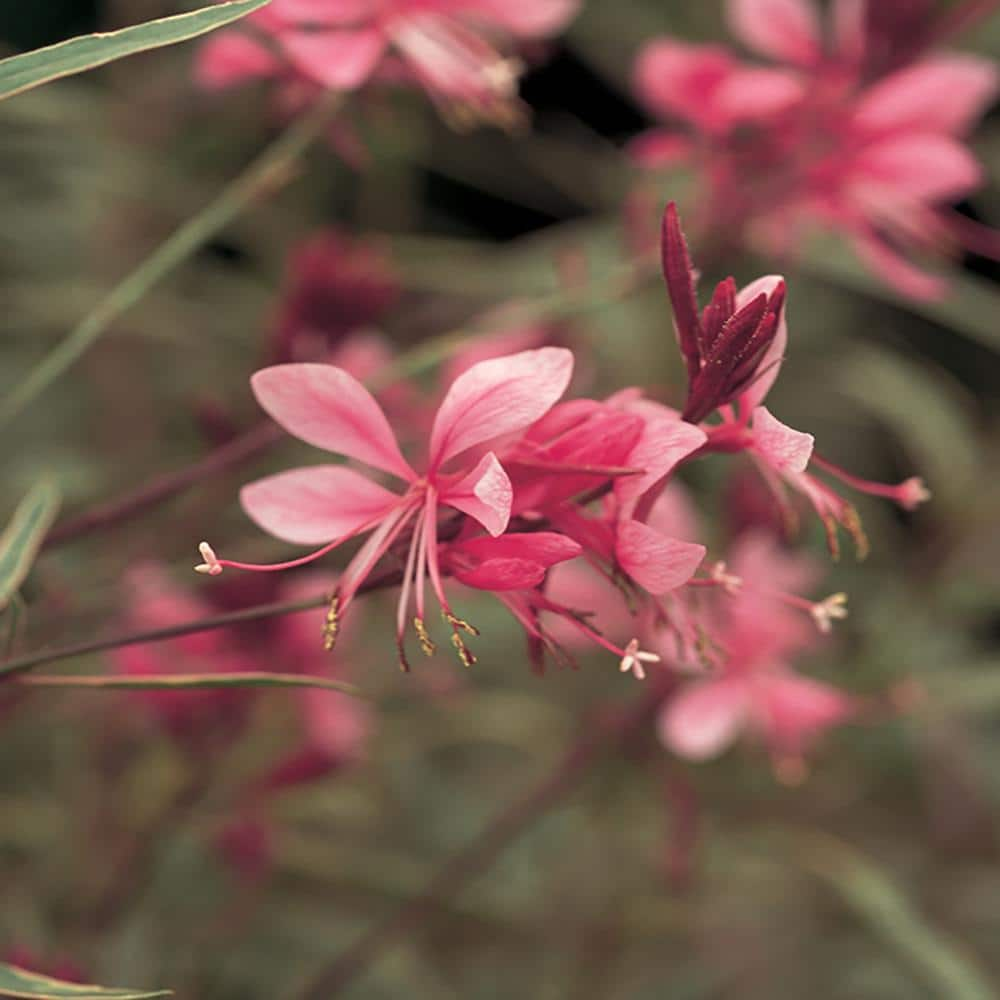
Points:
(316, 504)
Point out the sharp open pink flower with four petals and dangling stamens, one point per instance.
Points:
(326, 407)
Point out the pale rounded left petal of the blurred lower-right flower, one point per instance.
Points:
(704, 720)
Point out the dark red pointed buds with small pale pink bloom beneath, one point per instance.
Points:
(733, 351)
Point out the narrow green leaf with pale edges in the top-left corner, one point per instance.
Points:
(31, 69)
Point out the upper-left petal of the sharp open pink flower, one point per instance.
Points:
(326, 407)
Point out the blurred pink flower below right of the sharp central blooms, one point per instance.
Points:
(751, 686)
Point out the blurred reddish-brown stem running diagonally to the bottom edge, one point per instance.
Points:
(477, 856)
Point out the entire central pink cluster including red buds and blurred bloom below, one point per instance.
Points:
(516, 481)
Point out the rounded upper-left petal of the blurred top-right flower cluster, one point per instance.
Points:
(675, 78)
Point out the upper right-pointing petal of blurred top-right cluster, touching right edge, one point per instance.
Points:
(942, 94)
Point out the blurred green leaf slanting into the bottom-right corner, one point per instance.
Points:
(939, 960)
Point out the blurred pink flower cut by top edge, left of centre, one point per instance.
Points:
(445, 46)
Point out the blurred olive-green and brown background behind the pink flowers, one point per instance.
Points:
(226, 845)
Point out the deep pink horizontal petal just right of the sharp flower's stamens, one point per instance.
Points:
(511, 562)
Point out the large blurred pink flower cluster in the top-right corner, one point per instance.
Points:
(856, 130)
